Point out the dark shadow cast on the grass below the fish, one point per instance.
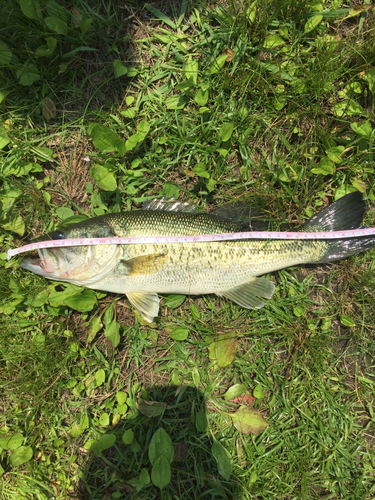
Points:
(116, 471)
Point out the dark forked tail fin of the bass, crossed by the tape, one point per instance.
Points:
(345, 213)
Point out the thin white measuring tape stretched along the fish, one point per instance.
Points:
(203, 238)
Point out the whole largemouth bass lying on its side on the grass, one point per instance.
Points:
(231, 269)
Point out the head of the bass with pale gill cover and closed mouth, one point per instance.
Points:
(80, 265)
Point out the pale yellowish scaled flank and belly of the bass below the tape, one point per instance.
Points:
(202, 268)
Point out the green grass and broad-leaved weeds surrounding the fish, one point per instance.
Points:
(285, 121)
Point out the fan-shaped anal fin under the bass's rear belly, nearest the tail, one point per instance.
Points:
(248, 295)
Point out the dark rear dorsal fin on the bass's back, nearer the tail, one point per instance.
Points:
(241, 213)
